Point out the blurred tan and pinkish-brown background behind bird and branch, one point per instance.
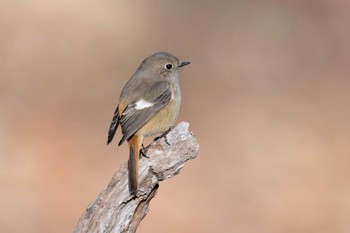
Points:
(267, 96)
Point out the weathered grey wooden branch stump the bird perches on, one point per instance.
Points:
(115, 210)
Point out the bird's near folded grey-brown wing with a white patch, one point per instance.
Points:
(139, 111)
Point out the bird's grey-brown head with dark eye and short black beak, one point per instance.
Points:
(163, 63)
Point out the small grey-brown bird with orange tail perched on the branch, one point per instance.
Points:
(149, 104)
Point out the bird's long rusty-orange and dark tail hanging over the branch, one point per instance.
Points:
(135, 143)
